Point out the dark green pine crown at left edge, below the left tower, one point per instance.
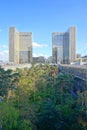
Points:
(8, 80)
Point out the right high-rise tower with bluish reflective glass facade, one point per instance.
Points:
(64, 46)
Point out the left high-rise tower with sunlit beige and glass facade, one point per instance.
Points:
(20, 46)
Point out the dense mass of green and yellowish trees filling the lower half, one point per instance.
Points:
(40, 98)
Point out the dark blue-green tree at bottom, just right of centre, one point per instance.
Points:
(49, 118)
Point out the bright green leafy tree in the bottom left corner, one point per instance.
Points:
(8, 116)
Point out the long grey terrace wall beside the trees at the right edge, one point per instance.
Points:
(79, 73)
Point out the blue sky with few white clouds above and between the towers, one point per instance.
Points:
(42, 17)
